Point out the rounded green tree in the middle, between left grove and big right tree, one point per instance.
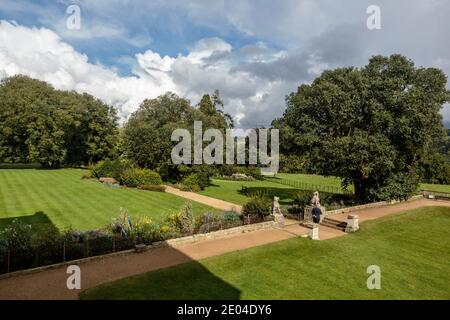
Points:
(146, 136)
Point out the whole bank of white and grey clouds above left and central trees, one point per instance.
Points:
(210, 64)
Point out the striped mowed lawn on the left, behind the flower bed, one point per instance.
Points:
(68, 201)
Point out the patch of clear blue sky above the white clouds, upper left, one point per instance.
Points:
(168, 32)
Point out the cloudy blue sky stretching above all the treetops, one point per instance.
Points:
(254, 52)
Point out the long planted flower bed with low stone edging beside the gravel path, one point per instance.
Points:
(24, 246)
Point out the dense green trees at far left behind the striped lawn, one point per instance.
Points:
(53, 127)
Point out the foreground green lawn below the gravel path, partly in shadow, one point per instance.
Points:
(412, 249)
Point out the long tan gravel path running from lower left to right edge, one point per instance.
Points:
(51, 284)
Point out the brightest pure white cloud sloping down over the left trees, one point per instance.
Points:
(40, 53)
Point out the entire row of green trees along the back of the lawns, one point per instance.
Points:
(379, 127)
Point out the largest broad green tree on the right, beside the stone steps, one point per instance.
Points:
(370, 126)
